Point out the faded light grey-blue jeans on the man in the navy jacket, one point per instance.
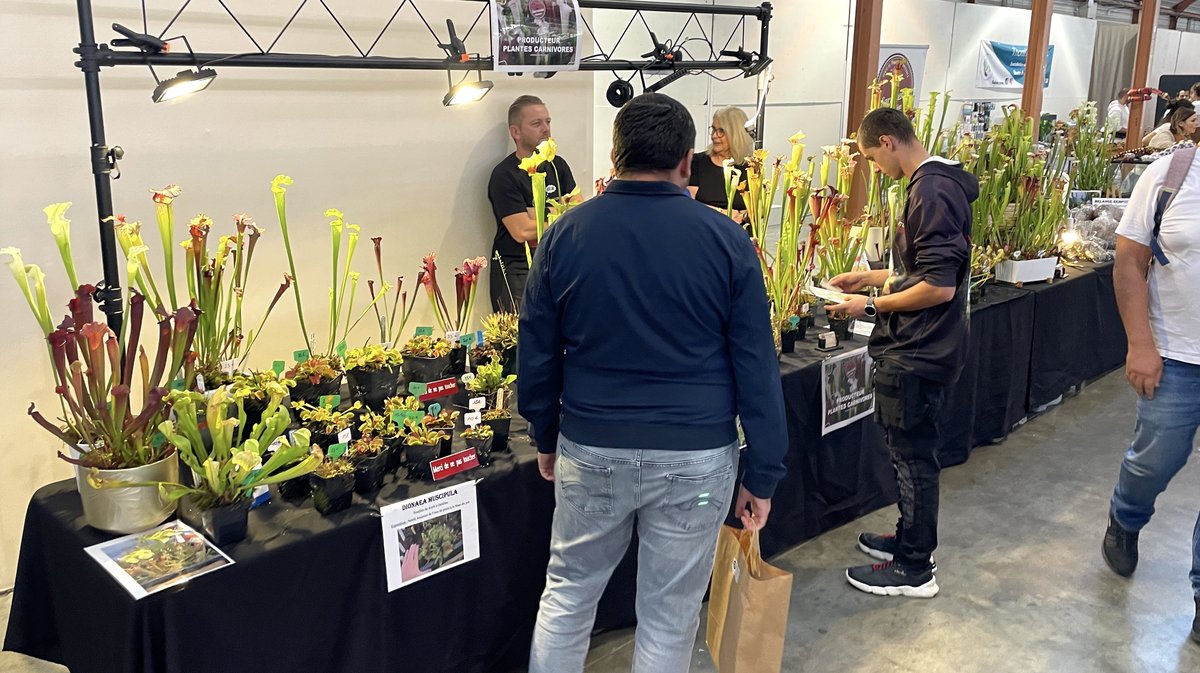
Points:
(679, 501)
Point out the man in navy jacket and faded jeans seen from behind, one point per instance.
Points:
(645, 334)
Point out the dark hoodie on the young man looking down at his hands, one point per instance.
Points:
(934, 245)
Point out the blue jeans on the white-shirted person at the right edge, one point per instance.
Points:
(1167, 429)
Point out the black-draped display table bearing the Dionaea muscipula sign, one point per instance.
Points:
(309, 593)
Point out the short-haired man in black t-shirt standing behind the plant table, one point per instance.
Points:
(512, 195)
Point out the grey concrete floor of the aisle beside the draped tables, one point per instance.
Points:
(1024, 588)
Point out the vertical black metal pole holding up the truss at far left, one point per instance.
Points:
(109, 293)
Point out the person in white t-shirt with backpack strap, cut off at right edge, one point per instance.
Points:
(1156, 277)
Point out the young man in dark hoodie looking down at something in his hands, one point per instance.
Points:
(919, 345)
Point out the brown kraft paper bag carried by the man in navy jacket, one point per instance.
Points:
(747, 606)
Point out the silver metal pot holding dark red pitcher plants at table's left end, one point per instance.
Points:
(134, 509)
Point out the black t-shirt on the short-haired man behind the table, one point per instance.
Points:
(512, 193)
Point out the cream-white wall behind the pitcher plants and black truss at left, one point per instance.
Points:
(379, 146)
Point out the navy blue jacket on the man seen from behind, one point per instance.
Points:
(646, 326)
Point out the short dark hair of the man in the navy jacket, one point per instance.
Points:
(652, 133)
